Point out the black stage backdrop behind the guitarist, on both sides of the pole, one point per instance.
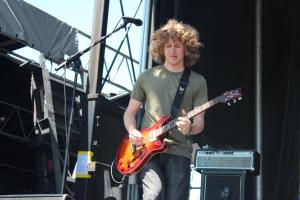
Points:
(227, 28)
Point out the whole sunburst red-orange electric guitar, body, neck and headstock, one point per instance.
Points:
(131, 158)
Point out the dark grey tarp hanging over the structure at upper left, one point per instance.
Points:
(22, 21)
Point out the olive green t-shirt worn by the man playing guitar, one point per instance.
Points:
(156, 88)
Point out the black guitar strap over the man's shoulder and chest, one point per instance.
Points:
(180, 92)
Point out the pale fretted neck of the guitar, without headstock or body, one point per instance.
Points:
(172, 124)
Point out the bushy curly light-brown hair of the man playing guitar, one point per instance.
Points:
(185, 33)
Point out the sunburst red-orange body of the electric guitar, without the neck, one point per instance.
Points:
(131, 158)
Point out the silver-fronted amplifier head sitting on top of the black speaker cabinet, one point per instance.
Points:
(246, 160)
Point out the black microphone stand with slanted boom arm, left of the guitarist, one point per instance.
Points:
(75, 58)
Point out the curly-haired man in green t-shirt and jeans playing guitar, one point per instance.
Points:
(175, 46)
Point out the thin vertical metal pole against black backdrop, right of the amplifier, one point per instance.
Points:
(258, 95)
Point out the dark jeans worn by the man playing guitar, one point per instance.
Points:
(166, 177)
